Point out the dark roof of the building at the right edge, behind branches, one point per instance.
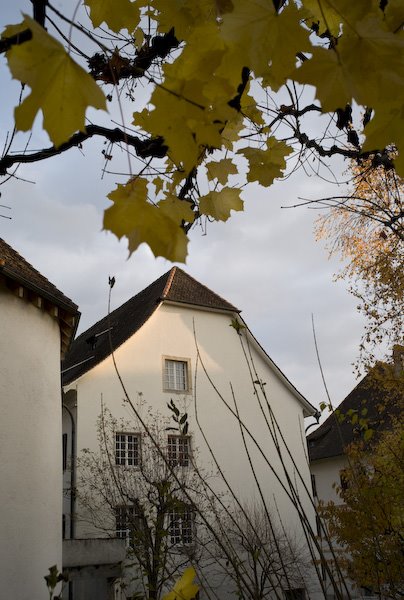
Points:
(378, 397)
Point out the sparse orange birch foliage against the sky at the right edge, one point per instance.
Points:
(367, 230)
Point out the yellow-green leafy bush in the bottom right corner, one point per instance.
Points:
(370, 523)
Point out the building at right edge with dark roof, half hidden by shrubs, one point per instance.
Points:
(377, 398)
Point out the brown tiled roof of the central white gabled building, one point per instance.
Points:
(95, 344)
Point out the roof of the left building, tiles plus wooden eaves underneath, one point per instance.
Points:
(24, 280)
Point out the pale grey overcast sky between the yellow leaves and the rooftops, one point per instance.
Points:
(265, 260)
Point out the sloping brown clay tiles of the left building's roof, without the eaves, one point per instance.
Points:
(16, 268)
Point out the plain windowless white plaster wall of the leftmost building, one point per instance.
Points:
(30, 448)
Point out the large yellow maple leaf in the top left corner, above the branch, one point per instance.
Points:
(59, 86)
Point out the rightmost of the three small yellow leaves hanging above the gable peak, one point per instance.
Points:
(266, 164)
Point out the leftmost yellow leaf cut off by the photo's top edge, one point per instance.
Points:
(117, 14)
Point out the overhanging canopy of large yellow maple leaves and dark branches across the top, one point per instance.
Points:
(224, 101)
